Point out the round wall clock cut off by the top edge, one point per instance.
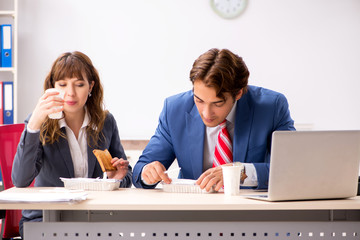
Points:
(228, 8)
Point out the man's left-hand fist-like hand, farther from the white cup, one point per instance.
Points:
(154, 172)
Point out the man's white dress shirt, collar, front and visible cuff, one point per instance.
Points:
(211, 135)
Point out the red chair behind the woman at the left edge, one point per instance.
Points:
(9, 138)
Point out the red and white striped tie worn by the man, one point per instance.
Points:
(223, 148)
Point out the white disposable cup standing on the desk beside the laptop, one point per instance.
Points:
(231, 176)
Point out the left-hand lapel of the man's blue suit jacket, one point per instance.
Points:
(195, 129)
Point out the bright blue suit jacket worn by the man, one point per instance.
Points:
(180, 134)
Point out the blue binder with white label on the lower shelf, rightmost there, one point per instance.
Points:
(8, 102)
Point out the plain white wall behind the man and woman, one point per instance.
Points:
(144, 49)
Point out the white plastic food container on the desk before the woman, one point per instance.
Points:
(92, 184)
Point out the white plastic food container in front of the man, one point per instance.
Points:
(184, 186)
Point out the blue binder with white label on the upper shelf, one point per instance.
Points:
(6, 45)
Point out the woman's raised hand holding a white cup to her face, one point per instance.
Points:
(44, 107)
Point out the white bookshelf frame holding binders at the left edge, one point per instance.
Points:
(9, 15)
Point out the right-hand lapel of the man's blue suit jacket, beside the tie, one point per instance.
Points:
(244, 116)
